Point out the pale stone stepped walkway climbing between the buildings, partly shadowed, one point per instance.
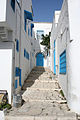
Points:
(43, 99)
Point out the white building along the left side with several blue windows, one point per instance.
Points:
(17, 43)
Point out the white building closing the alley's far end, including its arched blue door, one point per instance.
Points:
(41, 56)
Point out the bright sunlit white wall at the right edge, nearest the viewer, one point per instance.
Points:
(74, 56)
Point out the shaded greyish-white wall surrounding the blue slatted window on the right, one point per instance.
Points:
(60, 34)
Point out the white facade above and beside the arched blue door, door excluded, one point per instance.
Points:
(42, 28)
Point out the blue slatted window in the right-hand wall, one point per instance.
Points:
(63, 63)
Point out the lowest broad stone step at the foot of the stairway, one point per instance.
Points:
(36, 108)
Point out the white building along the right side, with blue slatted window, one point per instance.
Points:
(65, 47)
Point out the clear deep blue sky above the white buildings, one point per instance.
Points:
(44, 9)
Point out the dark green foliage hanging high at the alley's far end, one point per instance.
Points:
(46, 41)
